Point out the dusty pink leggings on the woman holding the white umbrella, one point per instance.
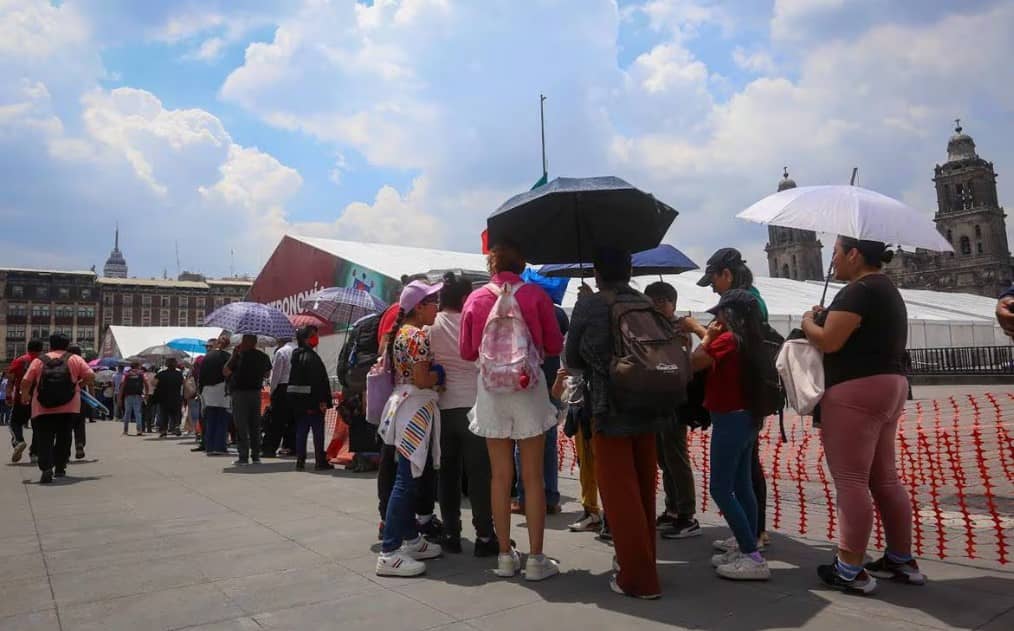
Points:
(859, 424)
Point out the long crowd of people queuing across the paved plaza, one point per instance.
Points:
(466, 385)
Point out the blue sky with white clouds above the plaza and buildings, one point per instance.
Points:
(214, 127)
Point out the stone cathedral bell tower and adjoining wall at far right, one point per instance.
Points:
(970, 217)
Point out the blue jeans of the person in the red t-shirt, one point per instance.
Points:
(733, 439)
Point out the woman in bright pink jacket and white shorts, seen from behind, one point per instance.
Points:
(525, 415)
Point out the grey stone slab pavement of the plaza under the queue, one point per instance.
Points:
(146, 535)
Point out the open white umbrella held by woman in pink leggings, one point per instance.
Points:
(849, 212)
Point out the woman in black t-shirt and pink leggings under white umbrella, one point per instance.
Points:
(863, 339)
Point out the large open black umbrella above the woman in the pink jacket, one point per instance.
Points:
(567, 220)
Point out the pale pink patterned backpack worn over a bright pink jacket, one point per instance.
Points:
(509, 360)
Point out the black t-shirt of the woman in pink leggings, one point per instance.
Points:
(878, 346)
